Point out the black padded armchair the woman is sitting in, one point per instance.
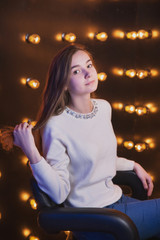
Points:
(55, 218)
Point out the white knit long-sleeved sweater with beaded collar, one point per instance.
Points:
(80, 158)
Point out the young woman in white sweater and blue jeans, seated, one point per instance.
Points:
(77, 157)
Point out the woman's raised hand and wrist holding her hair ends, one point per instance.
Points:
(24, 139)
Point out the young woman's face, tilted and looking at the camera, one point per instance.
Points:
(83, 75)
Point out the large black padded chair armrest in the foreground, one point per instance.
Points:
(88, 219)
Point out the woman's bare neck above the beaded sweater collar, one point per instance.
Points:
(82, 105)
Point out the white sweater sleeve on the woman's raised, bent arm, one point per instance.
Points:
(51, 173)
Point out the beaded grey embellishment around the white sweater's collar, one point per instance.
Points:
(82, 115)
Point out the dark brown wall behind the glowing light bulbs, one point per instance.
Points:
(20, 59)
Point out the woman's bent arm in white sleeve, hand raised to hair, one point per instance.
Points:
(51, 172)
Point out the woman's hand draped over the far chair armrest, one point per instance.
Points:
(145, 178)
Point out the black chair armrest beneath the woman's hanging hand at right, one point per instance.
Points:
(130, 179)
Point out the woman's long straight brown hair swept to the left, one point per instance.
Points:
(55, 96)
